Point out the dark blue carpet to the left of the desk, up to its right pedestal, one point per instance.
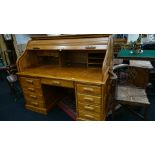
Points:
(11, 110)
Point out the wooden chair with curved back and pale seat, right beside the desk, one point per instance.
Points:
(127, 95)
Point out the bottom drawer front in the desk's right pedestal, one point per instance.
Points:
(85, 115)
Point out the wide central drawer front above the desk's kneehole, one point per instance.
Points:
(56, 82)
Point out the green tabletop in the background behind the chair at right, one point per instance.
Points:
(147, 54)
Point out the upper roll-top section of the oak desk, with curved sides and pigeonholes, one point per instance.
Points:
(87, 50)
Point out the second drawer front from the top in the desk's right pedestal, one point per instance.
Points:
(92, 100)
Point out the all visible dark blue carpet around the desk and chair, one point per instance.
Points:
(11, 110)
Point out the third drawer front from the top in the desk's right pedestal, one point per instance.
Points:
(89, 108)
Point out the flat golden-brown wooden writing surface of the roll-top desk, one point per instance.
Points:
(92, 75)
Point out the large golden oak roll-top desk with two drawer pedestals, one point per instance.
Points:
(51, 65)
